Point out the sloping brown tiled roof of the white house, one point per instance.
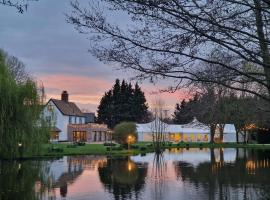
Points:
(67, 108)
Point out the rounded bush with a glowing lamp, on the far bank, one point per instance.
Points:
(125, 133)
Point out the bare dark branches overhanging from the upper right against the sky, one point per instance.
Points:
(171, 39)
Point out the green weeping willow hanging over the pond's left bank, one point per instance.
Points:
(21, 129)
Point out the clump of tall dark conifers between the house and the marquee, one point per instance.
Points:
(122, 103)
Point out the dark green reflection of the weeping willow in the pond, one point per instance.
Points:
(21, 180)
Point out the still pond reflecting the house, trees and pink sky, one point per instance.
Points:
(178, 174)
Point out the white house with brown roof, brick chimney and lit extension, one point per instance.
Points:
(69, 123)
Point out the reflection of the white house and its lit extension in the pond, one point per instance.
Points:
(65, 171)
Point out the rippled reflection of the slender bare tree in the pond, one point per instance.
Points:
(158, 175)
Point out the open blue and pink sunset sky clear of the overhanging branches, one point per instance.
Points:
(57, 55)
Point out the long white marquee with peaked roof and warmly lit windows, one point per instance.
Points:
(194, 131)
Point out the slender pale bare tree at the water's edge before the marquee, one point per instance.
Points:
(158, 126)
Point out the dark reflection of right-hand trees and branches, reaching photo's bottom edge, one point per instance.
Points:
(230, 180)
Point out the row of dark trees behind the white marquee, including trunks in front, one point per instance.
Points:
(217, 106)
